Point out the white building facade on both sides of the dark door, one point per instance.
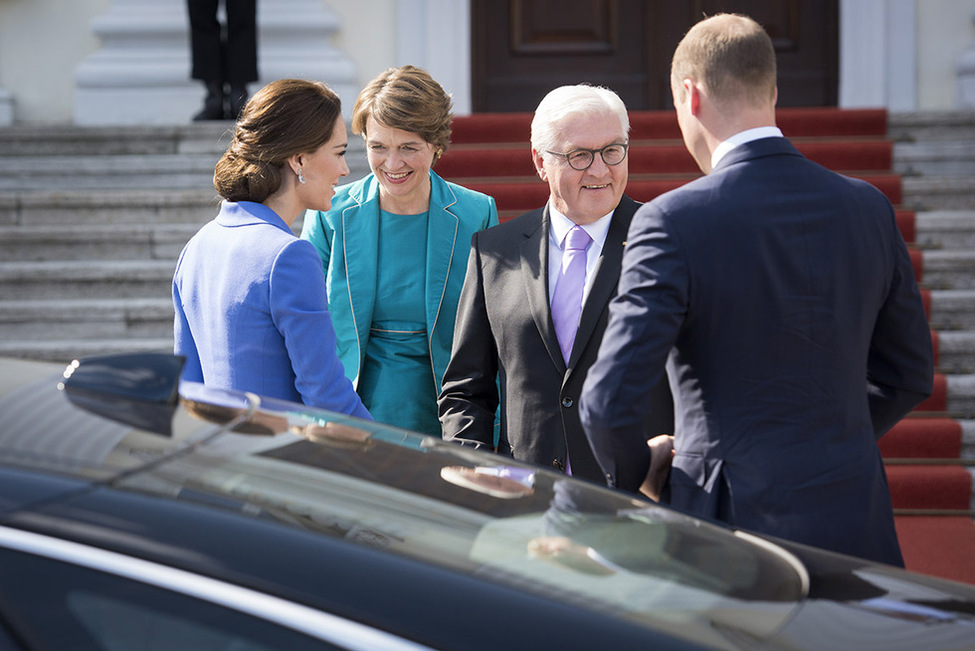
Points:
(127, 61)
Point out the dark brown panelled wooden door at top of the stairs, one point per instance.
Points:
(521, 49)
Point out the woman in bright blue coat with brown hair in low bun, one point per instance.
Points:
(250, 301)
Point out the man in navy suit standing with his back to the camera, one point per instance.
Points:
(781, 298)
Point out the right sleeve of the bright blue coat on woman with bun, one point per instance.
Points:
(299, 310)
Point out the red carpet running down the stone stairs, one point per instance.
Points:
(929, 483)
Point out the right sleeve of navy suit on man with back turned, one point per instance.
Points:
(900, 365)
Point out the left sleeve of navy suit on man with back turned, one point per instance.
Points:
(645, 319)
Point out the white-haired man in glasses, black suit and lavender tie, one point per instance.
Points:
(505, 336)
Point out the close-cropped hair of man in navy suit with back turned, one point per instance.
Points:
(731, 55)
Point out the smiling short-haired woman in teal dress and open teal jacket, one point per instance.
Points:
(394, 249)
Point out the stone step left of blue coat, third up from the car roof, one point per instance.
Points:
(83, 279)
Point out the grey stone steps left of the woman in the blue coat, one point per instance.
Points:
(92, 220)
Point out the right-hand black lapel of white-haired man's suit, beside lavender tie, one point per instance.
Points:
(606, 276)
